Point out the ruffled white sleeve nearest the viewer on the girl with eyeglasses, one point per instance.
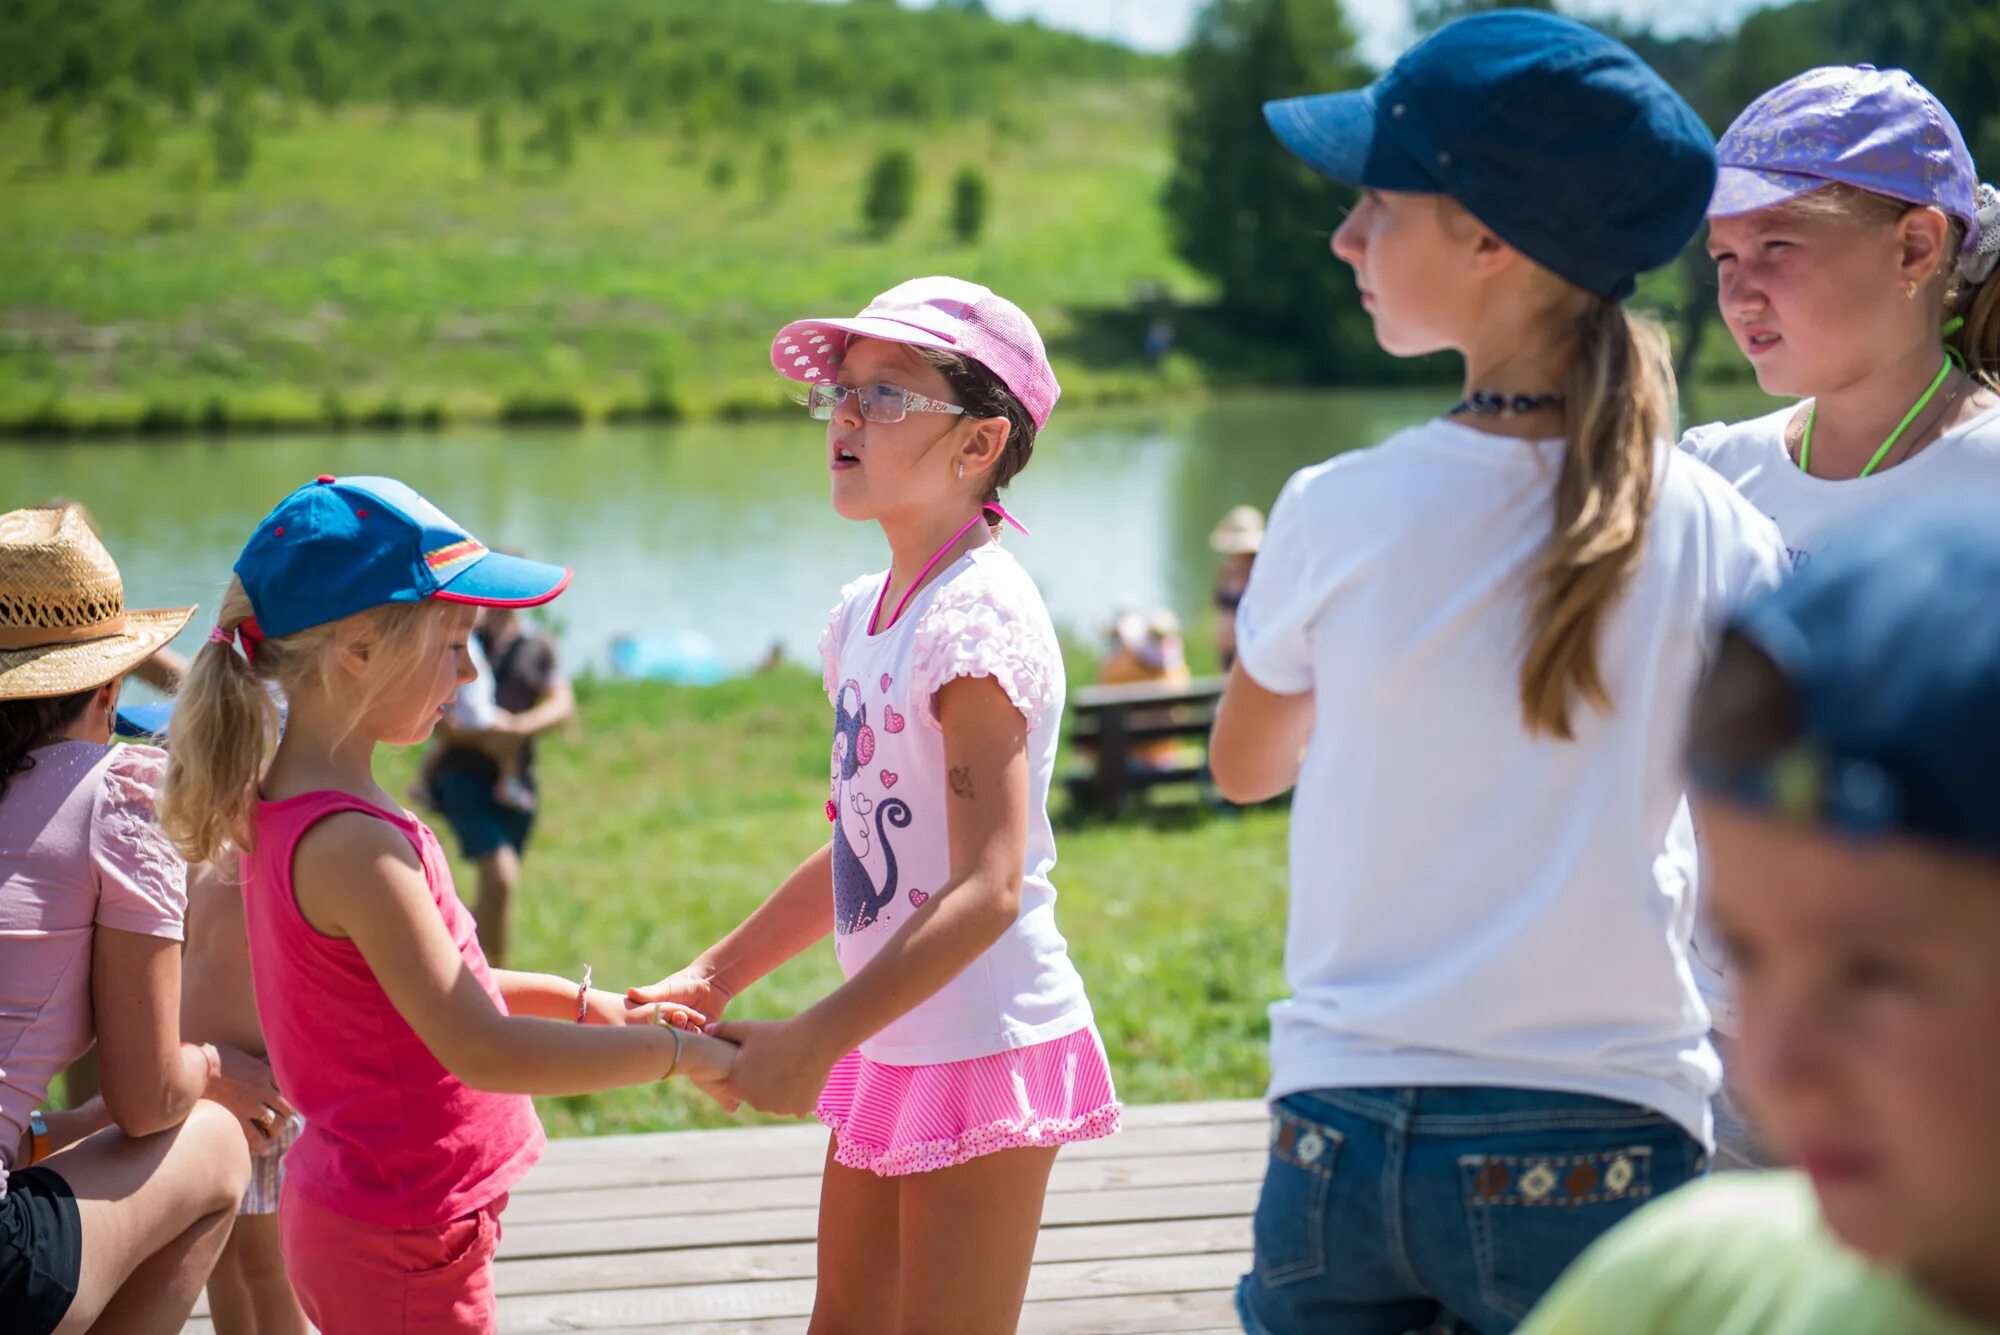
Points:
(987, 629)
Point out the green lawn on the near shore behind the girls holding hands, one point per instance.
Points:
(669, 814)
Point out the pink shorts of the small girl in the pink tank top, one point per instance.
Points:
(363, 1278)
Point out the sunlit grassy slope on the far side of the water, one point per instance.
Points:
(373, 267)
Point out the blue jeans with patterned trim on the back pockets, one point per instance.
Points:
(1443, 1208)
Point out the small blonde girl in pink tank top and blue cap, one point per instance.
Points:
(409, 1058)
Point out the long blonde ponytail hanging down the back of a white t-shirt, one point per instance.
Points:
(1621, 405)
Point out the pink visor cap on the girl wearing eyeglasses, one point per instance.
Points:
(931, 313)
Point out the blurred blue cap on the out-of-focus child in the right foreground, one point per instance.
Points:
(1891, 643)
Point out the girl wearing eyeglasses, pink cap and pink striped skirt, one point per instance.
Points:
(961, 1052)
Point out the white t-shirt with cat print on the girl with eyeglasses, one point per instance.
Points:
(981, 619)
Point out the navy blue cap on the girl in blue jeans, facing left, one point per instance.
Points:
(1553, 135)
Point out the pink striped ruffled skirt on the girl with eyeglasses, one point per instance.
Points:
(893, 1120)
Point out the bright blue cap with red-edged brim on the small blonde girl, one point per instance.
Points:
(345, 545)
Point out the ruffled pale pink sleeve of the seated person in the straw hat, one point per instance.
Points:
(143, 884)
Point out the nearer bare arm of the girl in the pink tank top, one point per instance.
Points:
(359, 878)
